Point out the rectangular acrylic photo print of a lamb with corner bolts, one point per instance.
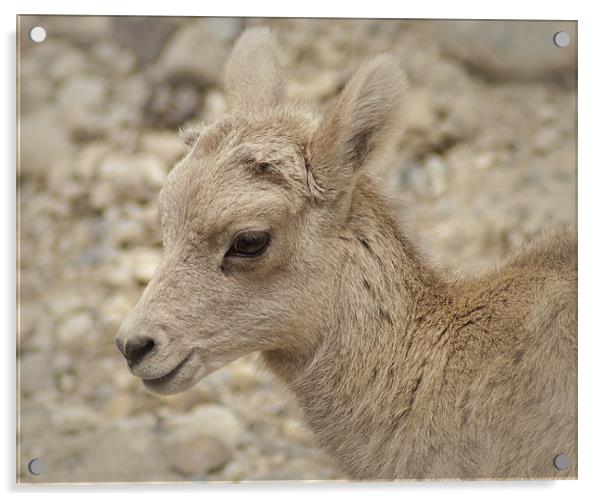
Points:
(306, 325)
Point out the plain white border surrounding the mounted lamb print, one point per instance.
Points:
(589, 249)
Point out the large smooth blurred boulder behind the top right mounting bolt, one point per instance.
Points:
(509, 50)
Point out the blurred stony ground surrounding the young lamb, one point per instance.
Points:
(487, 158)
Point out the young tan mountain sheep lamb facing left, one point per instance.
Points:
(278, 240)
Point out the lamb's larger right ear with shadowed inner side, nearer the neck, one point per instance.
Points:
(365, 119)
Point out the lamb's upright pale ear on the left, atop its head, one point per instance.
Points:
(253, 74)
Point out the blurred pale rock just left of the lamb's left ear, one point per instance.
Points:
(197, 51)
